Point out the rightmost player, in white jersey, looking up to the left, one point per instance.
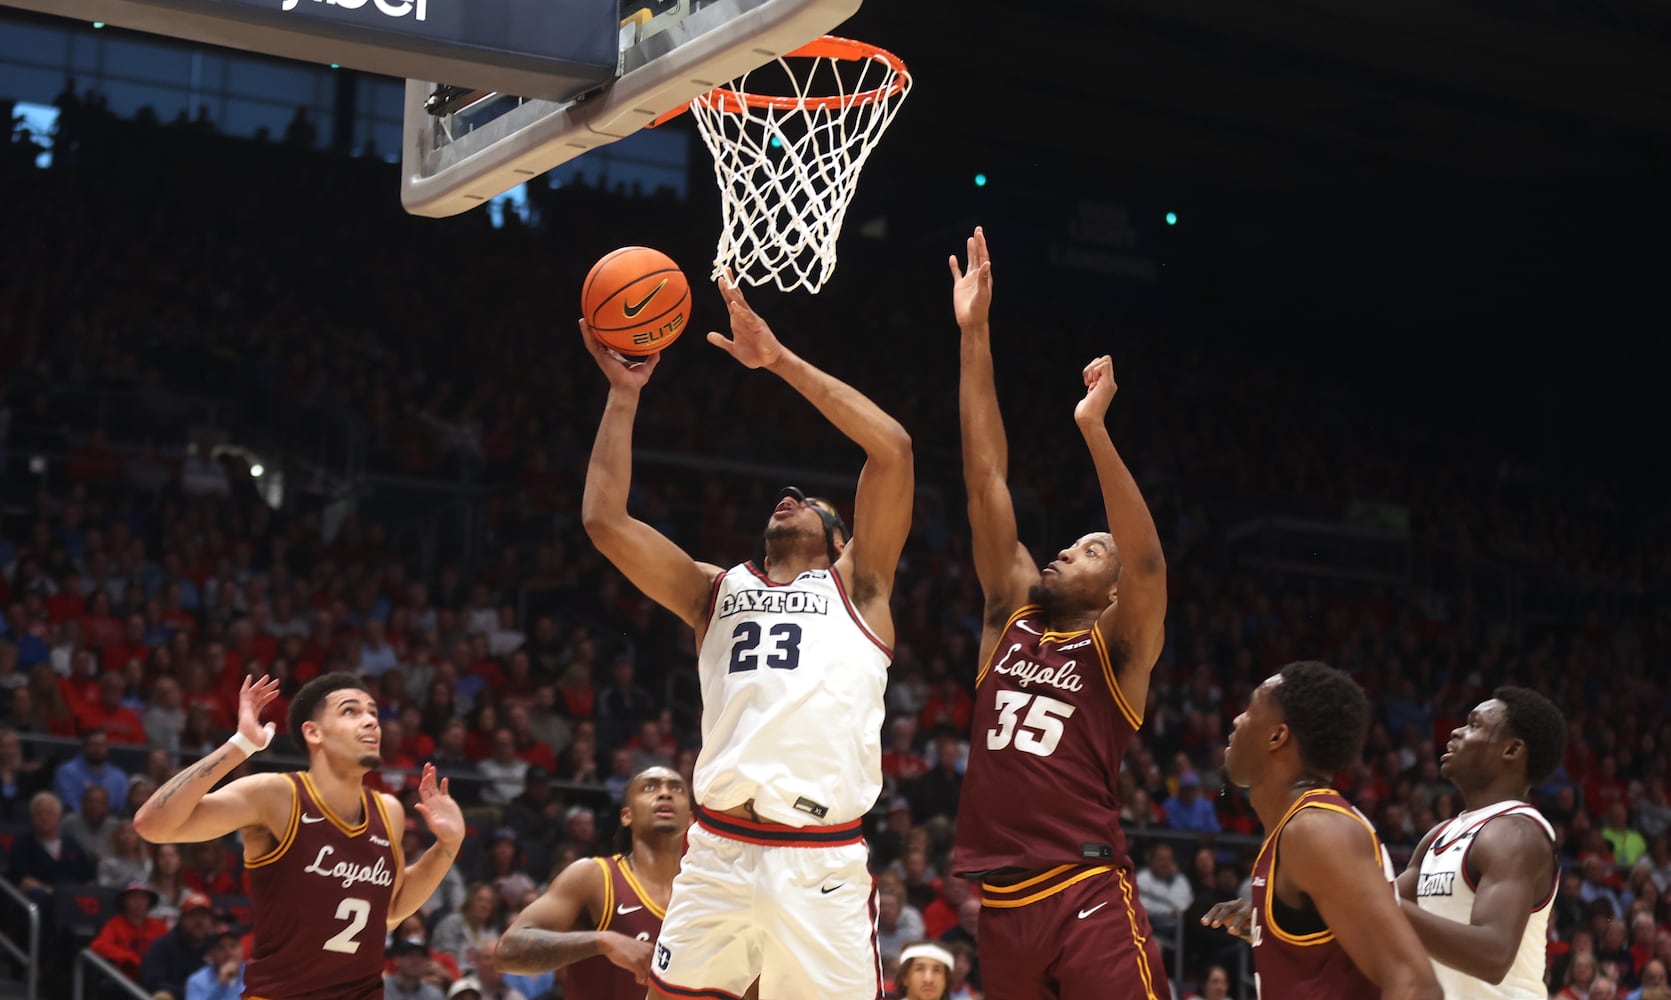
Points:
(1480, 887)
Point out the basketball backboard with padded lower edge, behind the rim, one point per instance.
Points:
(465, 146)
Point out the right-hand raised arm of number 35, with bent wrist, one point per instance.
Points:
(1139, 616)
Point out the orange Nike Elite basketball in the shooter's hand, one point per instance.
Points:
(636, 300)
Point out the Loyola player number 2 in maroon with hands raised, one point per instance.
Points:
(325, 852)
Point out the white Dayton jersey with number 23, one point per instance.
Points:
(791, 700)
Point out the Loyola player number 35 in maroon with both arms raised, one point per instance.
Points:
(1065, 670)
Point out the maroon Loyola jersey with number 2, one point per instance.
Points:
(322, 902)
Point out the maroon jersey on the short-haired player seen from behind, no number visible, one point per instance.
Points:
(1296, 956)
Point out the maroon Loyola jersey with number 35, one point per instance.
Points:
(1050, 728)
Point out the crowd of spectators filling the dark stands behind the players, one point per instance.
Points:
(145, 573)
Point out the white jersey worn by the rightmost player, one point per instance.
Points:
(1448, 892)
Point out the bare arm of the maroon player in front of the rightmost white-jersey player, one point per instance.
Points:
(1334, 860)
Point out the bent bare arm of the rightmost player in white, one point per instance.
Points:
(1516, 872)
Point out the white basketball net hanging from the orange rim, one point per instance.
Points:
(788, 165)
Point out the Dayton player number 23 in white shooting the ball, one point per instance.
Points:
(795, 660)
